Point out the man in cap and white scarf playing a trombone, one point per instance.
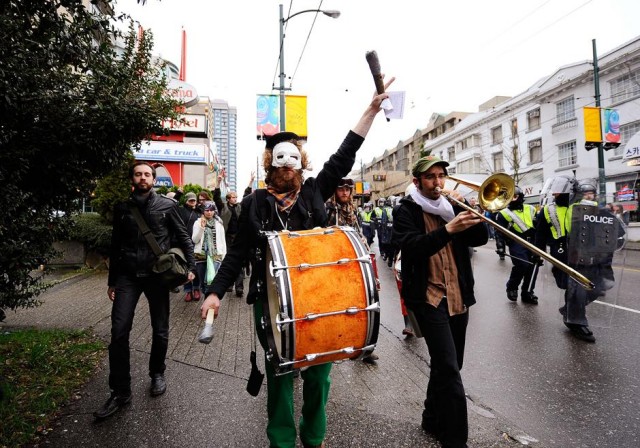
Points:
(437, 285)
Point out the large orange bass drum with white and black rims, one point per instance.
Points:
(323, 303)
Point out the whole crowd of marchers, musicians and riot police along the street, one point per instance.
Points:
(427, 236)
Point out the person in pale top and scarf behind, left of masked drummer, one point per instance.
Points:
(209, 244)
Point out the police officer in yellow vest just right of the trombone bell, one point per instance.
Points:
(519, 218)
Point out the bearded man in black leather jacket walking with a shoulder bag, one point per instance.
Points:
(130, 275)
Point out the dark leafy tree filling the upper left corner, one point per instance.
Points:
(72, 106)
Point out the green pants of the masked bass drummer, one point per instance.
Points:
(281, 429)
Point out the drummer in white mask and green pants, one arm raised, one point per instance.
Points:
(289, 202)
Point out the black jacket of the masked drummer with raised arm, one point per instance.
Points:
(258, 214)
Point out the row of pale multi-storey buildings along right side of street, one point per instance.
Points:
(537, 134)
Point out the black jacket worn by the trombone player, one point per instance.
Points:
(410, 236)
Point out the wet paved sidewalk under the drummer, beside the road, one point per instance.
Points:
(206, 404)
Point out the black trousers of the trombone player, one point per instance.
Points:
(445, 408)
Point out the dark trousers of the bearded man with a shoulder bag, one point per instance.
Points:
(128, 291)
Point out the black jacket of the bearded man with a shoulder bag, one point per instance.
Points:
(130, 252)
